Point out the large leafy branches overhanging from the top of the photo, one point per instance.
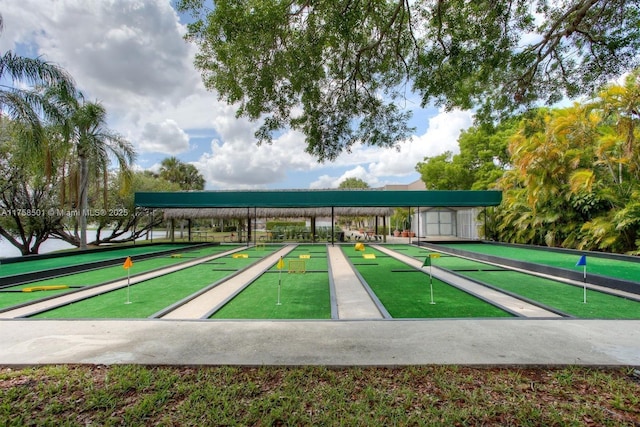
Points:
(336, 70)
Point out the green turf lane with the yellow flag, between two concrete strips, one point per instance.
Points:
(300, 295)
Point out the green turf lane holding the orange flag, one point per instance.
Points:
(151, 296)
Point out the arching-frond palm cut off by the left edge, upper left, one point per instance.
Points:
(21, 97)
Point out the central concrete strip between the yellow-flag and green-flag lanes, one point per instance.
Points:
(352, 299)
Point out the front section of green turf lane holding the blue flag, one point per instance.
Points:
(566, 298)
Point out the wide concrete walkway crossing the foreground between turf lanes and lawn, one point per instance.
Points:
(475, 342)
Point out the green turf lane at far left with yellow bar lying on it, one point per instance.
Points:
(93, 277)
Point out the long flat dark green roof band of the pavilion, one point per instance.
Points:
(318, 198)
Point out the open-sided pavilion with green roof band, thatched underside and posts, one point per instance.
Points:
(307, 203)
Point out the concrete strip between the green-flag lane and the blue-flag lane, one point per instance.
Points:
(512, 304)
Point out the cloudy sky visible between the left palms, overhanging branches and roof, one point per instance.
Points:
(130, 55)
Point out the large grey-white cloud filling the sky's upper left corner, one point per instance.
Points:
(128, 54)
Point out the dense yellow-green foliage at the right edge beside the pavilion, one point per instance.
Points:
(574, 179)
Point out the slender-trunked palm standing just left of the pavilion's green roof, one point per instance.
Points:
(94, 145)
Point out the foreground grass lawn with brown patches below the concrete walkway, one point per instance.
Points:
(304, 396)
